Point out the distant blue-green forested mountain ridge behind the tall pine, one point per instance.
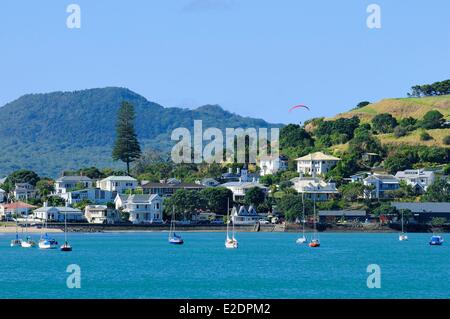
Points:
(52, 132)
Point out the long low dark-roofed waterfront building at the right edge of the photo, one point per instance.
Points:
(424, 212)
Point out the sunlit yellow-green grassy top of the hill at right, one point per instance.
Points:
(402, 107)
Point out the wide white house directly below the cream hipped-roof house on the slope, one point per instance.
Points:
(314, 188)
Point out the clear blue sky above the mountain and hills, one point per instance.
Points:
(253, 57)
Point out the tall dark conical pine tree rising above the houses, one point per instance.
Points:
(126, 146)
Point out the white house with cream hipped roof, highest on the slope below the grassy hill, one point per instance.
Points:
(316, 163)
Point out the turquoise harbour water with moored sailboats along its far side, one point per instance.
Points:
(266, 265)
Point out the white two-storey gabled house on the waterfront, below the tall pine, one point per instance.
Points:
(143, 209)
